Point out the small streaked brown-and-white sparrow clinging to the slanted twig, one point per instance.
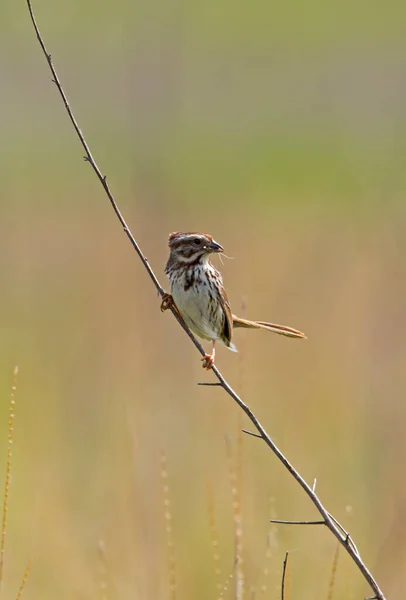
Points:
(199, 296)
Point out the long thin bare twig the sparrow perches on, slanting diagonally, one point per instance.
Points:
(327, 519)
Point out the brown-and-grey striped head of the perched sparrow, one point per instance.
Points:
(192, 247)
